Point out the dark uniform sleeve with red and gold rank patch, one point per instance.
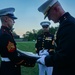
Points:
(9, 47)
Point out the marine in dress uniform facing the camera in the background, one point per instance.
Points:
(45, 42)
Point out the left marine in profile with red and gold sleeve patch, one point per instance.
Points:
(10, 59)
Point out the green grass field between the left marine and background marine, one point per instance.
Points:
(28, 46)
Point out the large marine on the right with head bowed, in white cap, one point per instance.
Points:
(63, 59)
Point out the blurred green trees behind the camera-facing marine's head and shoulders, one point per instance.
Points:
(29, 36)
